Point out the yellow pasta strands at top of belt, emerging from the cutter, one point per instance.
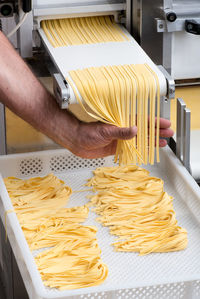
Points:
(83, 30)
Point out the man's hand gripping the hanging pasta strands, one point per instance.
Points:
(94, 140)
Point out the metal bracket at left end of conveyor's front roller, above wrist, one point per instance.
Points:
(61, 91)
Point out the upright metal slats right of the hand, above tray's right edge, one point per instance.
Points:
(183, 134)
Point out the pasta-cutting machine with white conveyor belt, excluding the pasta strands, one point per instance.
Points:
(31, 37)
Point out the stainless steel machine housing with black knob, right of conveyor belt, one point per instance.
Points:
(168, 30)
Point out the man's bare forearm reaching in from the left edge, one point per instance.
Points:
(22, 93)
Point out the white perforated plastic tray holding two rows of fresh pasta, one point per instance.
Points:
(166, 275)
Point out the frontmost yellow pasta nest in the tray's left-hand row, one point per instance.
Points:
(72, 264)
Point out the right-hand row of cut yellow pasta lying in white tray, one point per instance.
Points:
(137, 210)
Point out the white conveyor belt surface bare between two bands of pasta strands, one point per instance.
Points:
(69, 58)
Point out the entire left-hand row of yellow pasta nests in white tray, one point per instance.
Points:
(74, 260)
